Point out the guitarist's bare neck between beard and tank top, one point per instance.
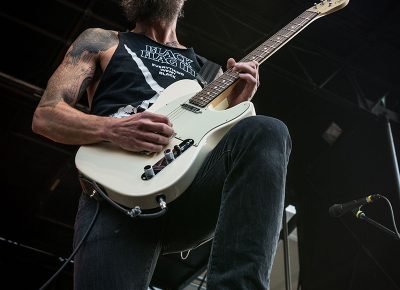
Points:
(159, 31)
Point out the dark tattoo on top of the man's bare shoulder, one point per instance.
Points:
(92, 41)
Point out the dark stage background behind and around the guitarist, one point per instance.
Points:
(342, 70)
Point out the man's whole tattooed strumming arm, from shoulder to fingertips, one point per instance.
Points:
(57, 119)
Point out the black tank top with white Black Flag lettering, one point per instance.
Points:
(139, 70)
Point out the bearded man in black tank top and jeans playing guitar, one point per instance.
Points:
(236, 197)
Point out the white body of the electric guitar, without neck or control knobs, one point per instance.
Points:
(120, 172)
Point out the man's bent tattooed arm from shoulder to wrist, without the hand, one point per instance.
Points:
(55, 117)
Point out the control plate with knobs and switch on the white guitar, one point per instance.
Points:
(169, 156)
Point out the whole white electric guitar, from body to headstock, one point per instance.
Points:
(200, 120)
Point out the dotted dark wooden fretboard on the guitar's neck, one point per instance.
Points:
(260, 54)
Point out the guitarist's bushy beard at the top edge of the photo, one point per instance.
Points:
(152, 10)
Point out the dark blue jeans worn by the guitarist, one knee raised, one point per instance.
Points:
(236, 198)
